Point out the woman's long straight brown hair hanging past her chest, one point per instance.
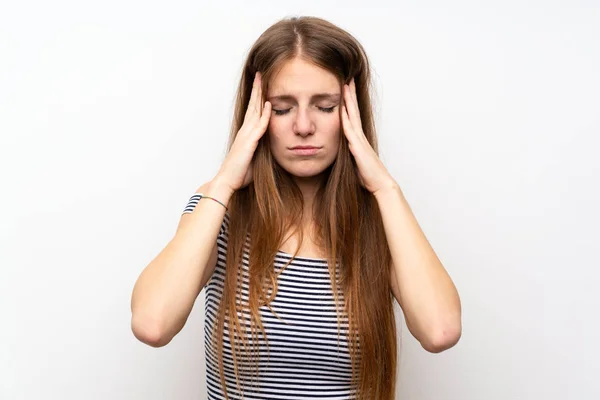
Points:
(349, 228)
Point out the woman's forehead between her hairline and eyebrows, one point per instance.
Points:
(301, 78)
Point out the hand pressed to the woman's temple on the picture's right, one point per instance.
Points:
(373, 174)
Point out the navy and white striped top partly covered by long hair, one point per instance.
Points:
(307, 361)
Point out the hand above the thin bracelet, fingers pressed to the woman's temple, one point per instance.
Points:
(236, 171)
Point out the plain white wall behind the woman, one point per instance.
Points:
(113, 113)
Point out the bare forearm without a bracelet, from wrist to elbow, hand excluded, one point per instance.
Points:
(420, 283)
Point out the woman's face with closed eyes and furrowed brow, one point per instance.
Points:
(305, 103)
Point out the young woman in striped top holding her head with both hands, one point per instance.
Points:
(303, 239)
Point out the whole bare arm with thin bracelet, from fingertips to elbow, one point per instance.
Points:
(166, 290)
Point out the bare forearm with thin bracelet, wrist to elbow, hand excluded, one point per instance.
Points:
(165, 292)
